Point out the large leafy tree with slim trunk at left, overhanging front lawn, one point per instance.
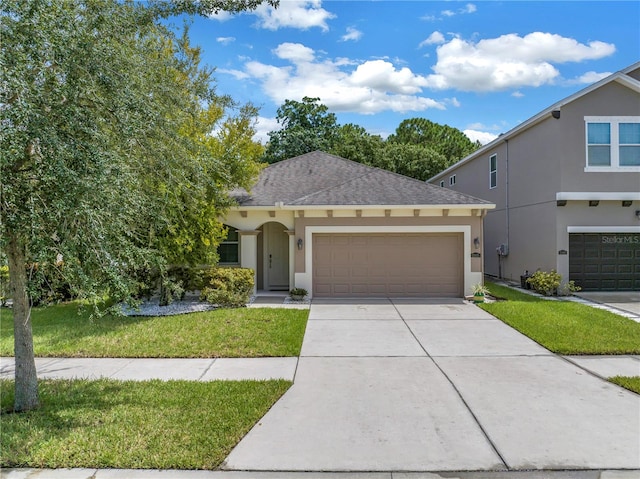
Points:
(106, 149)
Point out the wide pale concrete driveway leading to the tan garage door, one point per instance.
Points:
(415, 385)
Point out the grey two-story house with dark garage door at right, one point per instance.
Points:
(566, 184)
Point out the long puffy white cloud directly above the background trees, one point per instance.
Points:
(342, 85)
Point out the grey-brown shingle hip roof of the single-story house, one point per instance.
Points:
(319, 178)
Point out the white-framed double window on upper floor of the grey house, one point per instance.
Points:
(613, 143)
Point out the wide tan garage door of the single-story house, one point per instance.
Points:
(388, 265)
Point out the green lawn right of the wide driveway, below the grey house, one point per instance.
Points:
(565, 327)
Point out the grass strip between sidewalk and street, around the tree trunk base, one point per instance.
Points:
(139, 425)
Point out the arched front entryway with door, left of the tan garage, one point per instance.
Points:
(276, 257)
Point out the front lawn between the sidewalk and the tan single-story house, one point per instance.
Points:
(65, 331)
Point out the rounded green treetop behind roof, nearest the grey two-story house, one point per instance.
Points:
(448, 141)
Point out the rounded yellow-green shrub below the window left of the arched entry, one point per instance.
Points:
(228, 287)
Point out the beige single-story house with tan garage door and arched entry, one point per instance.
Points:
(339, 228)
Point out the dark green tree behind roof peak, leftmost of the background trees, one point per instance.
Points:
(306, 126)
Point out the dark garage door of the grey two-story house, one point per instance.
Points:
(605, 261)
